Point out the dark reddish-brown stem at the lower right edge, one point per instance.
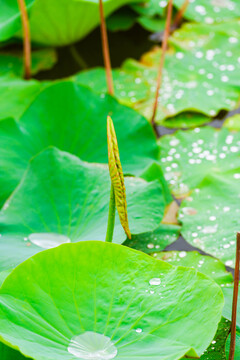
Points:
(235, 300)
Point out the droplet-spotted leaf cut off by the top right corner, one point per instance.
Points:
(210, 11)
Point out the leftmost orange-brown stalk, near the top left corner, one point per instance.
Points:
(26, 39)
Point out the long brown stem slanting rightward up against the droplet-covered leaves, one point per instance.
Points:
(162, 60)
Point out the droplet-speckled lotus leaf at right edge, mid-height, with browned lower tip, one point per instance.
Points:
(188, 156)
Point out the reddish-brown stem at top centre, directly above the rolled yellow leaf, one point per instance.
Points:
(105, 47)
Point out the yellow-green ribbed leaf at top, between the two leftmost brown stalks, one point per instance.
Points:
(61, 22)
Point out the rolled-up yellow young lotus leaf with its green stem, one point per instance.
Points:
(118, 192)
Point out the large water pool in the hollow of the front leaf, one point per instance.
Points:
(92, 346)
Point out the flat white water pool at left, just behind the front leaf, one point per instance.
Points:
(48, 240)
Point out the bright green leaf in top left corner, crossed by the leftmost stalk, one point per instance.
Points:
(10, 19)
